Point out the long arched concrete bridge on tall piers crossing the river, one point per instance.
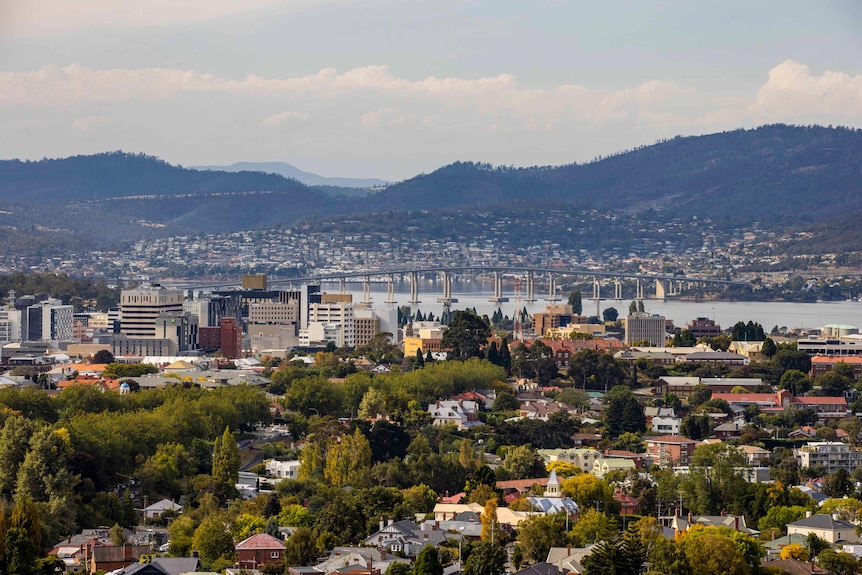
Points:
(665, 285)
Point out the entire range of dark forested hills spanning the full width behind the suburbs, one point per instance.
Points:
(778, 176)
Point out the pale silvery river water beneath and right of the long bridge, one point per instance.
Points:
(475, 293)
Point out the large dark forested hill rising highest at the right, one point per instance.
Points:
(774, 174)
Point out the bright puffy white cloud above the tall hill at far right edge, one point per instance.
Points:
(793, 91)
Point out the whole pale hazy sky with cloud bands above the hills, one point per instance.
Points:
(394, 88)
